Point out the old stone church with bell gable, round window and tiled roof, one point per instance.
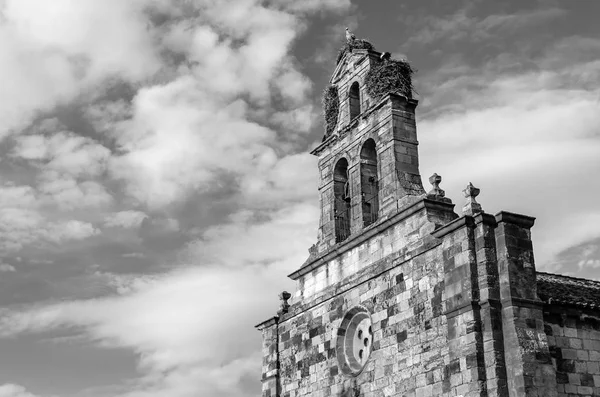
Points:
(402, 295)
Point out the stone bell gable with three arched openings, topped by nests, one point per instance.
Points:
(368, 160)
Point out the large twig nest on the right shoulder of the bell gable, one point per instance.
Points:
(390, 76)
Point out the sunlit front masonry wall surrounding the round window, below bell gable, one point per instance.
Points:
(400, 275)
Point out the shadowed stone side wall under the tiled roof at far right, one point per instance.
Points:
(574, 340)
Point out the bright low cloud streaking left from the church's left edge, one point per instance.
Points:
(164, 318)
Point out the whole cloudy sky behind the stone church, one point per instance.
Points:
(156, 186)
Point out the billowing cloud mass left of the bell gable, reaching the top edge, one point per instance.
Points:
(216, 119)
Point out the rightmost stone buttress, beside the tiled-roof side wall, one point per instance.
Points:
(528, 363)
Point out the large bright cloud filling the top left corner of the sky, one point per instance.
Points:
(52, 63)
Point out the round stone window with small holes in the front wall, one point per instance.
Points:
(354, 341)
